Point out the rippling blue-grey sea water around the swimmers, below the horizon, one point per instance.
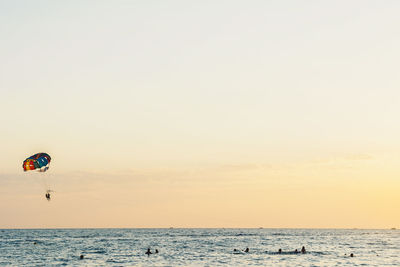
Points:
(198, 247)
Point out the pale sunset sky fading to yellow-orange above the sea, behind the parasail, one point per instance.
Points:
(201, 114)
